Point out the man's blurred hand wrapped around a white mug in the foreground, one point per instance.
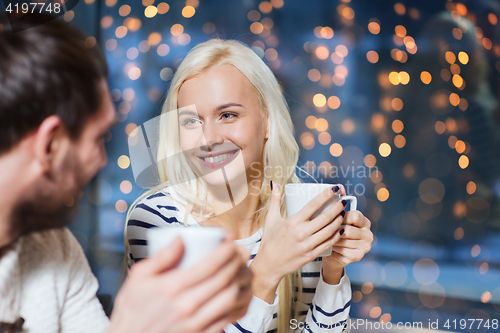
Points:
(157, 297)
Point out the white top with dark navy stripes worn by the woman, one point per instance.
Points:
(324, 307)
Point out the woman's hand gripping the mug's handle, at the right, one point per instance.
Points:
(355, 241)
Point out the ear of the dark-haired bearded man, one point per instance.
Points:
(48, 138)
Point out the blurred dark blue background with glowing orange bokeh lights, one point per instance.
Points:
(397, 100)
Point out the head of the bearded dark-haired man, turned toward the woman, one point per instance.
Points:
(54, 111)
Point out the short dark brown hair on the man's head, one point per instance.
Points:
(46, 69)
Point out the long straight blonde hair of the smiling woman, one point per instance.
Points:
(280, 151)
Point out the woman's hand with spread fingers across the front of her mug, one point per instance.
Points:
(288, 244)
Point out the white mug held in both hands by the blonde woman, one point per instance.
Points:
(298, 195)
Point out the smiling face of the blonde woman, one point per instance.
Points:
(222, 130)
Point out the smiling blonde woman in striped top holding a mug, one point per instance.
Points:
(226, 128)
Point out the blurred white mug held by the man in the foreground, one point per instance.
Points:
(199, 242)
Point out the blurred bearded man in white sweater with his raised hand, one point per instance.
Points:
(55, 109)
